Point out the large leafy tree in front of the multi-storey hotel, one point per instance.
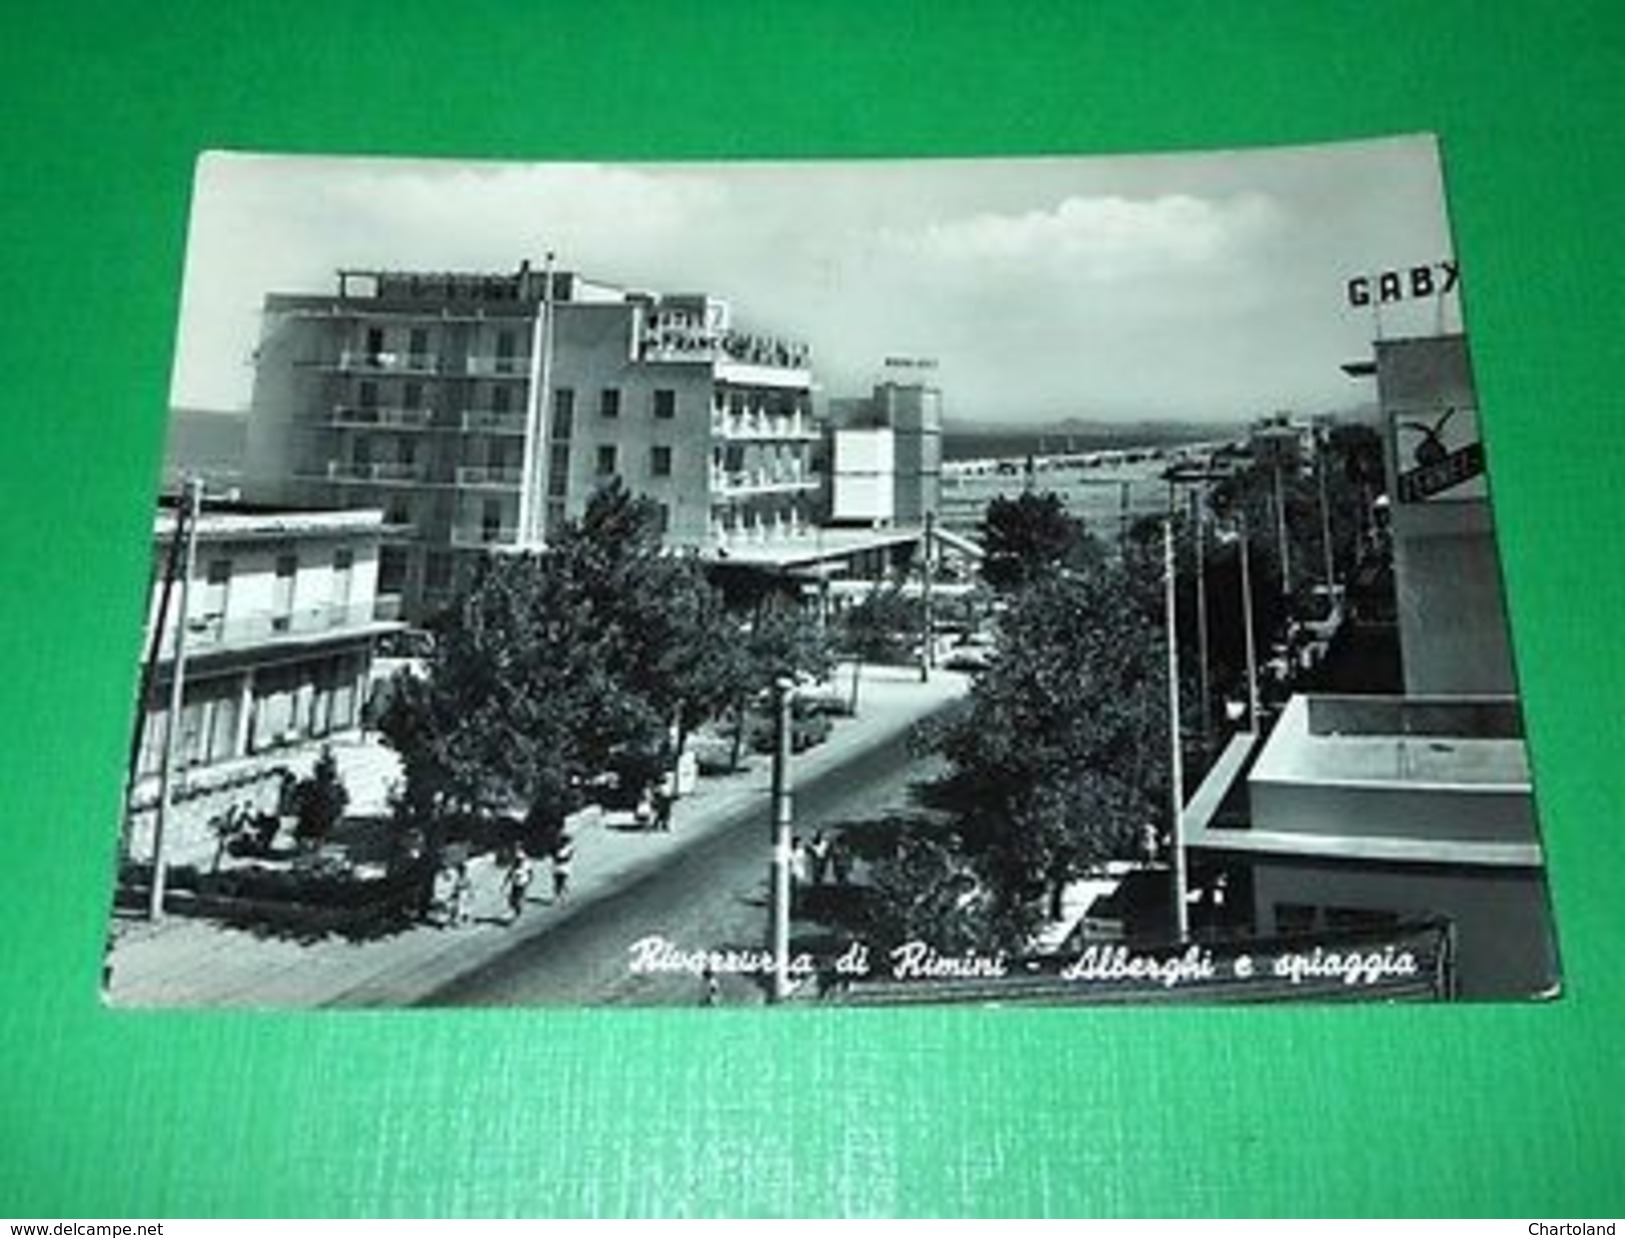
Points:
(558, 667)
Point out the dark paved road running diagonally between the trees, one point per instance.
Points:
(708, 898)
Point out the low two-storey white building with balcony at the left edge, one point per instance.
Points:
(282, 613)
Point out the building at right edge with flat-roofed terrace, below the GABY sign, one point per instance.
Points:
(1387, 810)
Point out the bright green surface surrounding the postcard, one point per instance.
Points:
(1423, 1110)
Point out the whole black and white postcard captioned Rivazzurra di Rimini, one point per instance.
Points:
(891, 582)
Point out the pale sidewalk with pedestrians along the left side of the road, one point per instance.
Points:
(202, 963)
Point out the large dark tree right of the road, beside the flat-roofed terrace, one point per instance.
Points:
(1062, 758)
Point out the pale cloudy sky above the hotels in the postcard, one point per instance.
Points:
(1195, 287)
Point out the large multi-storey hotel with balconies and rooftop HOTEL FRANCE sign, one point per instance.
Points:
(485, 410)
